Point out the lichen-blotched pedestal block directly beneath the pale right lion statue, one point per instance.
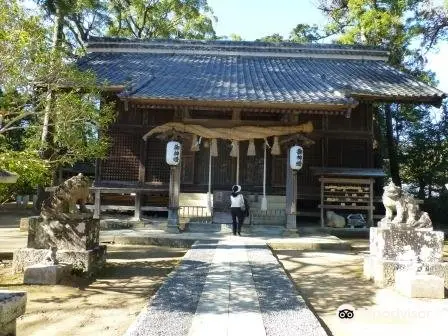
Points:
(406, 244)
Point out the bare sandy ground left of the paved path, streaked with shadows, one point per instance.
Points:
(105, 305)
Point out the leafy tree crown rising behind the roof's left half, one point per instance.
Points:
(188, 19)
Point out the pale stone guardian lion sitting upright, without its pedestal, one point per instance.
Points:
(405, 208)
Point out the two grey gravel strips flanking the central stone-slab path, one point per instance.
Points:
(284, 312)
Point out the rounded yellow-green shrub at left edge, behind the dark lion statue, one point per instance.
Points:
(32, 172)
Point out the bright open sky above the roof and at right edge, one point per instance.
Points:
(252, 19)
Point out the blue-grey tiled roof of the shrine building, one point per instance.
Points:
(255, 72)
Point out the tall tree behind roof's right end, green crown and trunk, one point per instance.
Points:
(379, 23)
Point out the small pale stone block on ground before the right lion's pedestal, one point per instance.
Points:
(418, 285)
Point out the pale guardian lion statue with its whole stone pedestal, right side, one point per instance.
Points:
(404, 243)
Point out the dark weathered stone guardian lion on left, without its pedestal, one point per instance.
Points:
(62, 203)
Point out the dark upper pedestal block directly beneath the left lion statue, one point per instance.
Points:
(77, 235)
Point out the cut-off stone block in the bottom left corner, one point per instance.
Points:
(12, 305)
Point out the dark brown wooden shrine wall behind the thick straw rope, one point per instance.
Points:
(339, 142)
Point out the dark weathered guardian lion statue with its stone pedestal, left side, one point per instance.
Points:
(63, 235)
